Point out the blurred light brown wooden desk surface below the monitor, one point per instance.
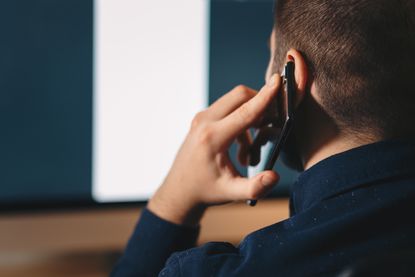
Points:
(83, 243)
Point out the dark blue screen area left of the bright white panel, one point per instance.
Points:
(46, 77)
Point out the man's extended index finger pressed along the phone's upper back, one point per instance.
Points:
(243, 117)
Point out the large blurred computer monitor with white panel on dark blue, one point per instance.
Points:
(97, 96)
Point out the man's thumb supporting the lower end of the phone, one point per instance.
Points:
(240, 188)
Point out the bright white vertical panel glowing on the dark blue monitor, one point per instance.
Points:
(150, 78)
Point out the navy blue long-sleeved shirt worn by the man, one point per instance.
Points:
(344, 209)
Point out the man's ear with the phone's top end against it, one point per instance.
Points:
(300, 73)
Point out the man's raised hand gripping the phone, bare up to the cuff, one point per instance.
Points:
(202, 173)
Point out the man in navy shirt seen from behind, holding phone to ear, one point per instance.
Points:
(353, 137)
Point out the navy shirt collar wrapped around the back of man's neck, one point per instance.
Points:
(348, 170)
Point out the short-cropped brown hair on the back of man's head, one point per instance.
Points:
(361, 55)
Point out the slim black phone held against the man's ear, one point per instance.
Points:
(285, 109)
